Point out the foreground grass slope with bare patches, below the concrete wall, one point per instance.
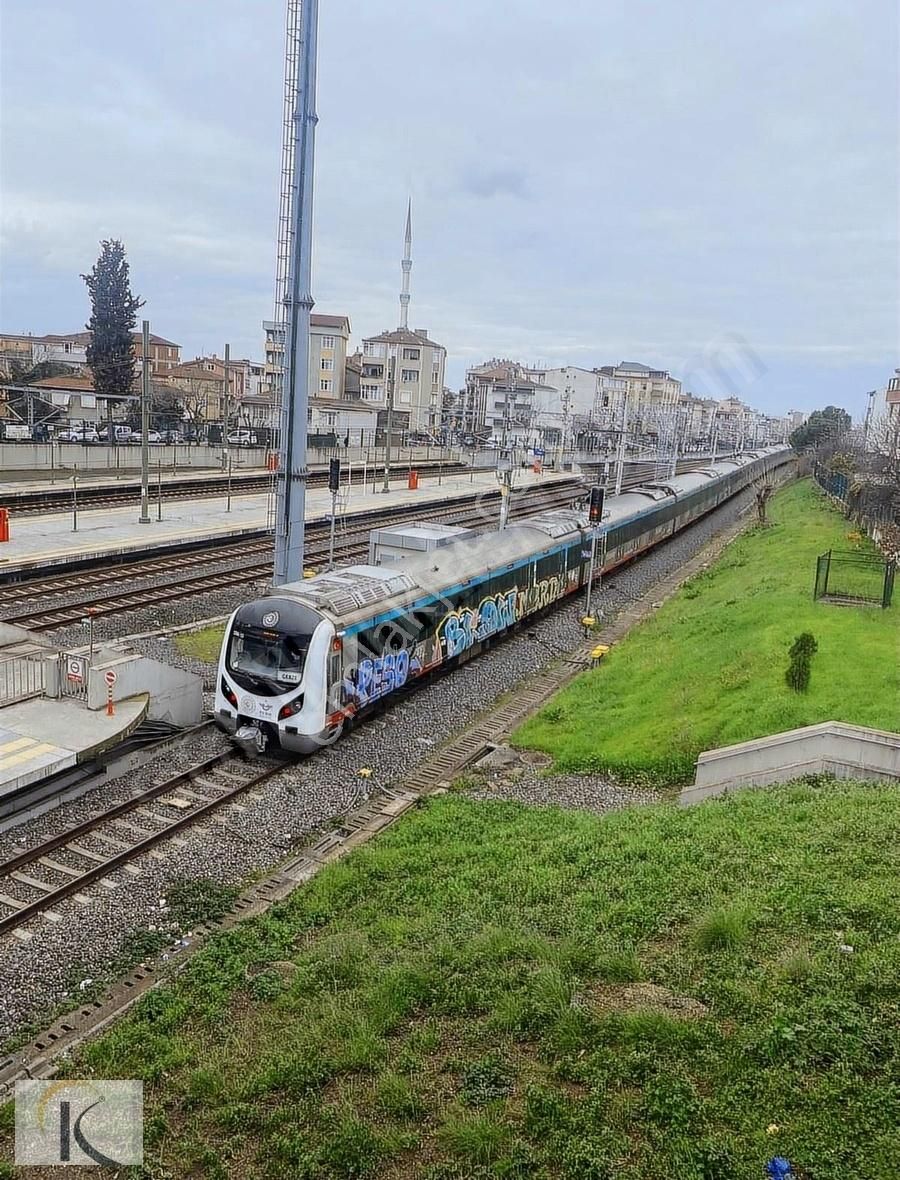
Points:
(490, 991)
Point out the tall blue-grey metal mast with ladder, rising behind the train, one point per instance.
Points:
(300, 91)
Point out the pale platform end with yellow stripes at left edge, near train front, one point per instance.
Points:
(40, 738)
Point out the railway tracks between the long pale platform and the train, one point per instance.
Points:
(350, 546)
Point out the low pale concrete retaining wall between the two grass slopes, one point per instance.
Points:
(849, 752)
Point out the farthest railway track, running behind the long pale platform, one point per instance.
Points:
(60, 500)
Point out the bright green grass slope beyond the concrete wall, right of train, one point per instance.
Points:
(708, 668)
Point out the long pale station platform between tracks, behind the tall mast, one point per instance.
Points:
(50, 541)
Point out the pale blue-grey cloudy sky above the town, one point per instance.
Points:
(710, 188)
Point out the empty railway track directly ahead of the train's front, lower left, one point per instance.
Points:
(70, 863)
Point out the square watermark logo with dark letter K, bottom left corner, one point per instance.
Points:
(84, 1123)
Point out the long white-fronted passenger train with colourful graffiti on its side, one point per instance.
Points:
(305, 663)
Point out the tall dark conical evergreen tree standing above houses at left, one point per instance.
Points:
(114, 318)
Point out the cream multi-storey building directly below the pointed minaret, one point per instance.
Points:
(416, 365)
